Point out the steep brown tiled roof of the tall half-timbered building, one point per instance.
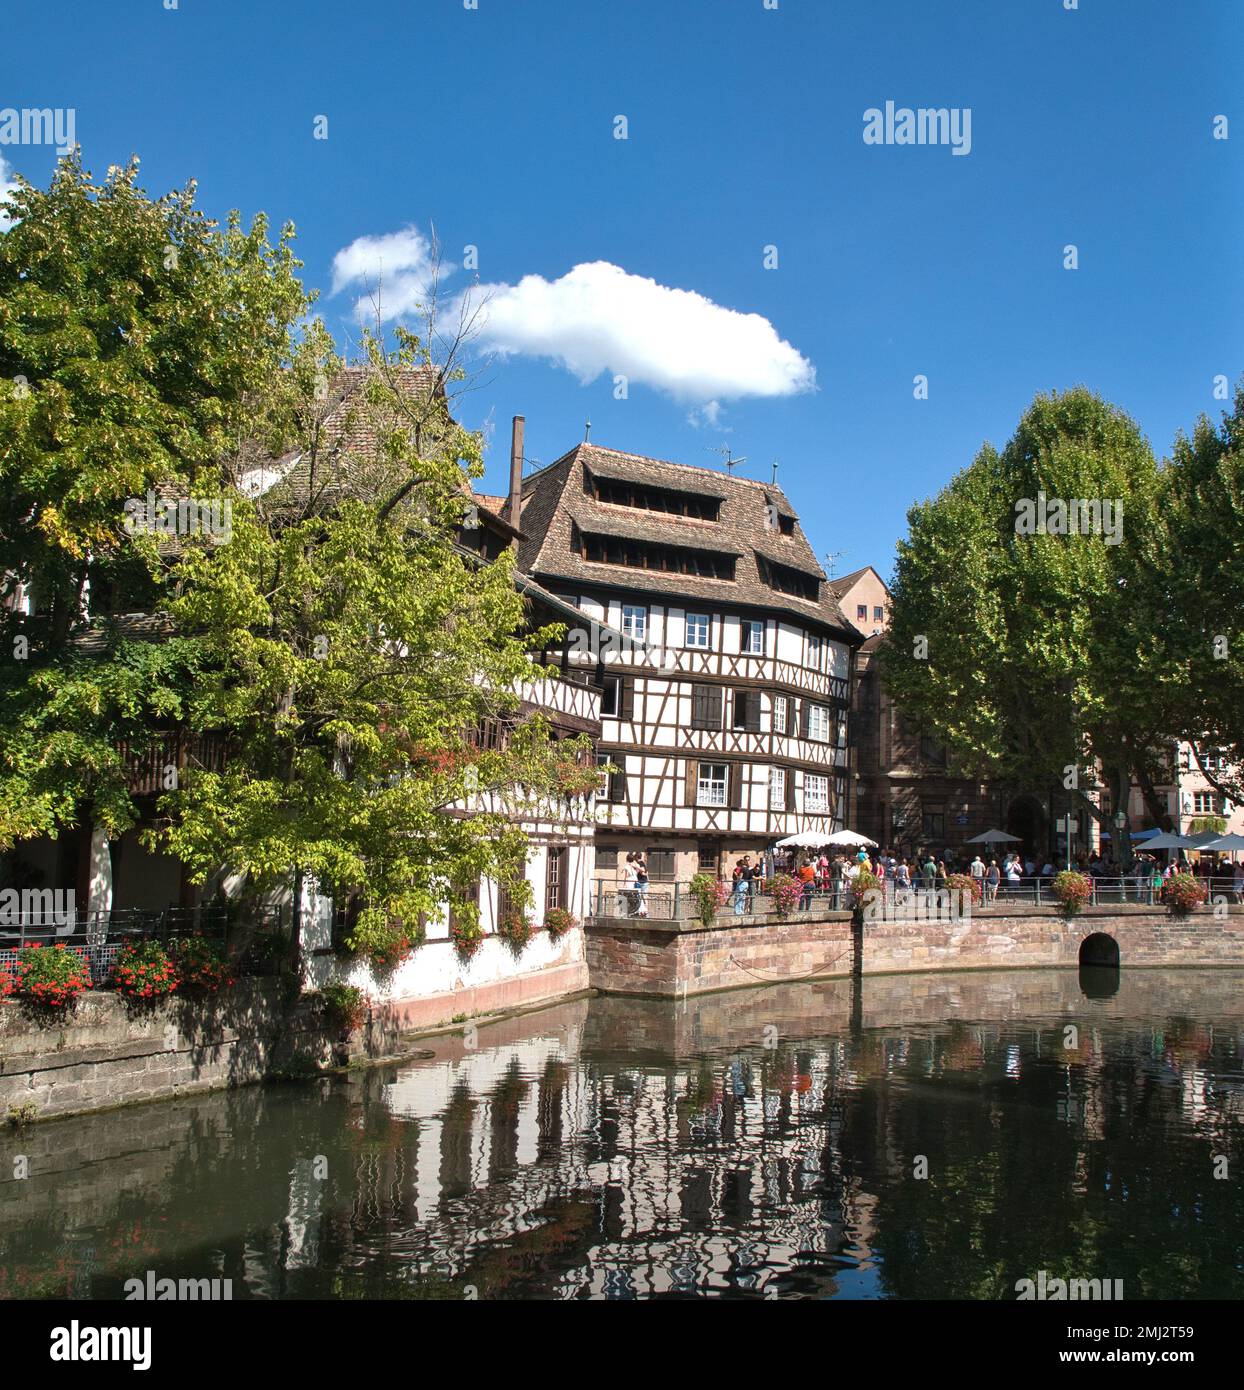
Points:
(555, 498)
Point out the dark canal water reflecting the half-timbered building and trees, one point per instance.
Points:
(912, 1138)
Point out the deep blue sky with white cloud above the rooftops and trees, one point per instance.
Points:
(496, 126)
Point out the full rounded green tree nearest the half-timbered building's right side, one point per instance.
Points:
(1032, 654)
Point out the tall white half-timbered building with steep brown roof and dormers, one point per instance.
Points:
(722, 653)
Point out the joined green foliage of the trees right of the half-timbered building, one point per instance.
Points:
(1064, 657)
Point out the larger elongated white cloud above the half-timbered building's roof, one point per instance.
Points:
(600, 319)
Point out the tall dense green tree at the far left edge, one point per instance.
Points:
(134, 337)
